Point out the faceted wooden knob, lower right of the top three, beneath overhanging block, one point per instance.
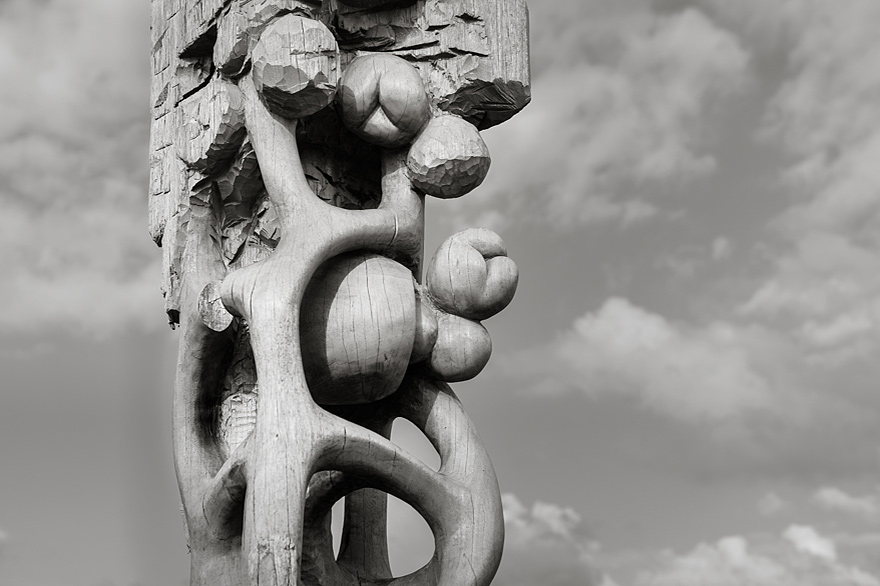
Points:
(449, 158)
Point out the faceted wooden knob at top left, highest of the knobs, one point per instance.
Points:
(295, 66)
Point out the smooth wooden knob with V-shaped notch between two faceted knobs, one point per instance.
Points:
(383, 100)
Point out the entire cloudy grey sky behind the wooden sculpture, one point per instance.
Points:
(683, 391)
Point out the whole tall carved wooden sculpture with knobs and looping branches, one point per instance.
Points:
(293, 142)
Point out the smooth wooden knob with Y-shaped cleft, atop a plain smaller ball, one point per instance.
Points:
(471, 276)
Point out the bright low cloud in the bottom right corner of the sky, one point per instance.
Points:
(801, 556)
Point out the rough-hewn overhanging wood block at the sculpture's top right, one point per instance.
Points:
(472, 54)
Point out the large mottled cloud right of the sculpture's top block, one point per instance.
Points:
(613, 119)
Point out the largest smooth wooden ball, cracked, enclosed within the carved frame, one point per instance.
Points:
(358, 325)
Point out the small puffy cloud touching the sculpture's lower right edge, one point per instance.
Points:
(546, 544)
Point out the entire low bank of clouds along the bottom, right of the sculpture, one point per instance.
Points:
(547, 544)
